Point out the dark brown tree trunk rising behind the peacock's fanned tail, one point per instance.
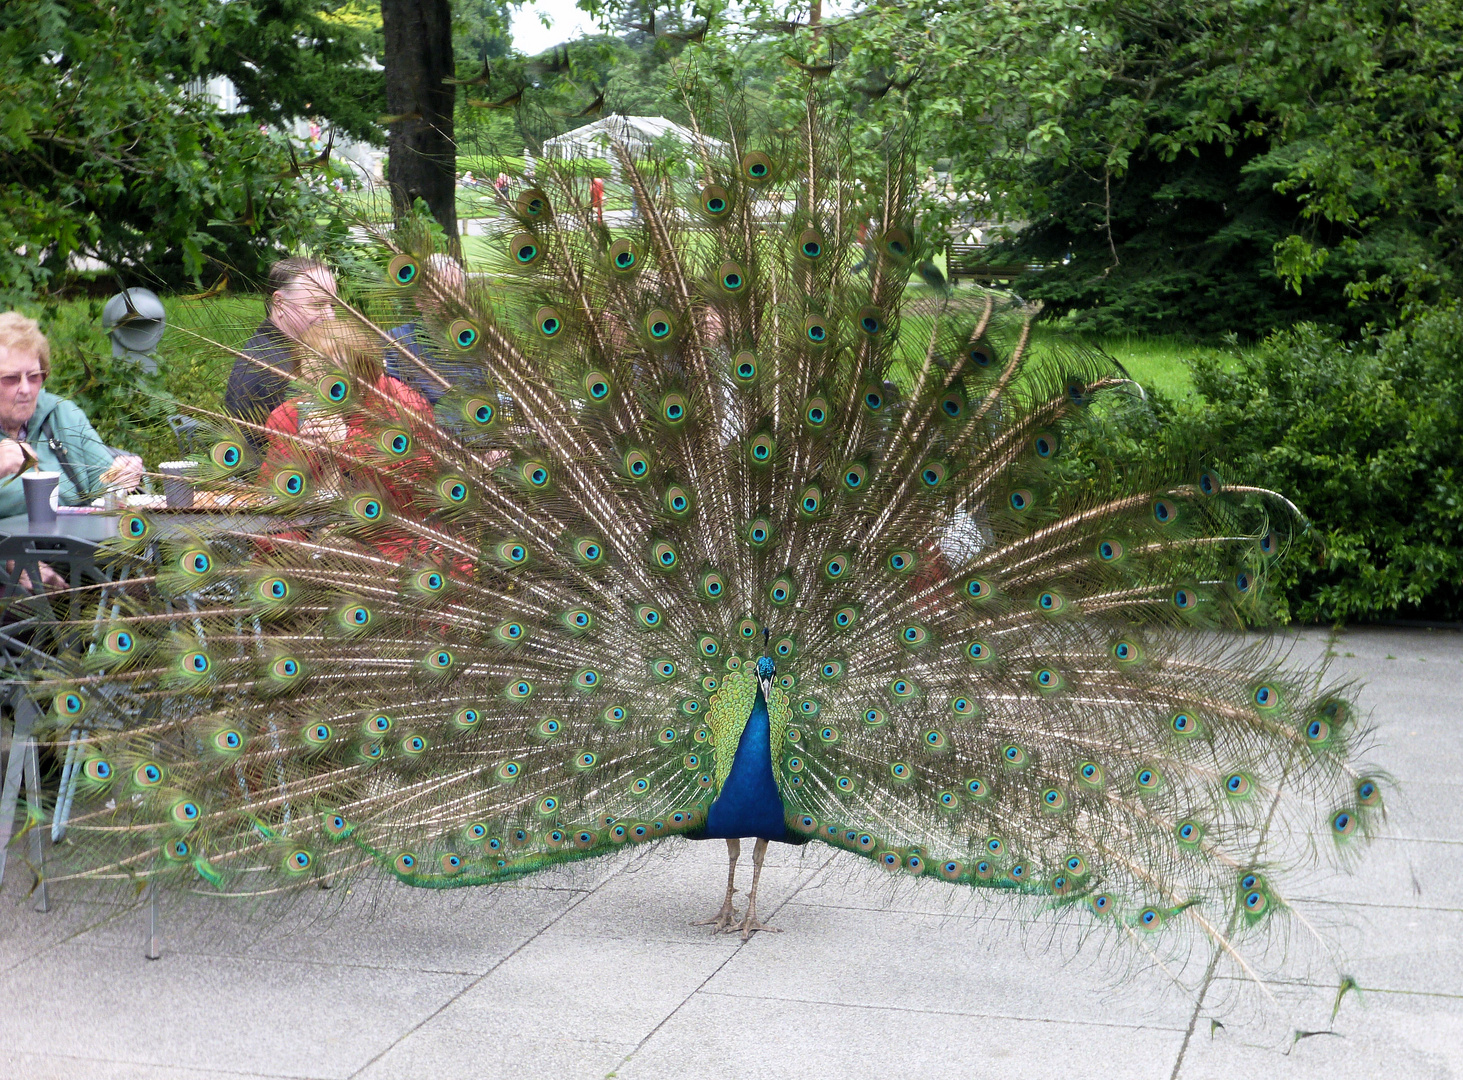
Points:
(422, 151)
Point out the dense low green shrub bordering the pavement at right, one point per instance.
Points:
(1367, 440)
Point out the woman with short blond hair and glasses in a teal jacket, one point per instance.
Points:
(46, 428)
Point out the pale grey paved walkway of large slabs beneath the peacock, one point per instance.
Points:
(598, 974)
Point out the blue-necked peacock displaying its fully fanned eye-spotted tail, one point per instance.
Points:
(723, 529)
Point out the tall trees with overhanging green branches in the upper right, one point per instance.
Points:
(1231, 150)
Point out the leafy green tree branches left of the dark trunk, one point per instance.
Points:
(103, 156)
